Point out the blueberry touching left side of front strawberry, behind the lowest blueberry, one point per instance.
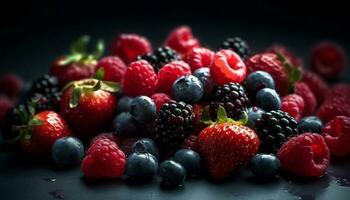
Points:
(190, 160)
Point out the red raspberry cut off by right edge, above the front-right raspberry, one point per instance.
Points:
(337, 136)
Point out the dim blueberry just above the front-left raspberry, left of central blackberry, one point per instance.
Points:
(125, 124)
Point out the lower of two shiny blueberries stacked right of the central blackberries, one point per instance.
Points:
(268, 99)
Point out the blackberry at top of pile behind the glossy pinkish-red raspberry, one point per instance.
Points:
(237, 45)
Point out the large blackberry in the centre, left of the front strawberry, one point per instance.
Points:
(173, 124)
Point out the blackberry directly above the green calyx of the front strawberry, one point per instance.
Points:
(232, 97)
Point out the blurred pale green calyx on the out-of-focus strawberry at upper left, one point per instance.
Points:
(79, 52)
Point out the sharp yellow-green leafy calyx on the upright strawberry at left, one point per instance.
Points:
(89, 85)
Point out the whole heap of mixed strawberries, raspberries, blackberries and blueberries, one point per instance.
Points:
(182, 110)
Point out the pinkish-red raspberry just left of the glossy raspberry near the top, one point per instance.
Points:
(199, 57)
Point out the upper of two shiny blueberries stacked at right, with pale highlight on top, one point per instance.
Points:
(257, 81)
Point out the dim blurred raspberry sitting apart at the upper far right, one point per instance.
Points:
(328, 60)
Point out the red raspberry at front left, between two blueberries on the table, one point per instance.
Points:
(103, 160)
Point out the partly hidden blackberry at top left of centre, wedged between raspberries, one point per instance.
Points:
(160, 57)
